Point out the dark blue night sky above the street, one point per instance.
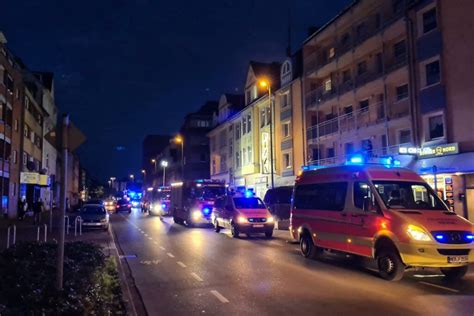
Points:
(127, 68)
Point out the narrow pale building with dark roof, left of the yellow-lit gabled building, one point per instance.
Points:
(222, 138)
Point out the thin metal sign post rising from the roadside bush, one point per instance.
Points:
(62, 208)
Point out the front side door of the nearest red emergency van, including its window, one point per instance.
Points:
(365, 219)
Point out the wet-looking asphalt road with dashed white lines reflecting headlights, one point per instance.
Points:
(190, 271)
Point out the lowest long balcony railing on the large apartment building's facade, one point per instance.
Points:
(361, 118)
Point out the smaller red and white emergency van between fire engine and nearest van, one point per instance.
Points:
(245, 214)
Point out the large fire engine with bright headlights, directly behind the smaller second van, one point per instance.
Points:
(192, 201)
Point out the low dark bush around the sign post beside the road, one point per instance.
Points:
(28, 275)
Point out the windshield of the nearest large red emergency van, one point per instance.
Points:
(409, 195)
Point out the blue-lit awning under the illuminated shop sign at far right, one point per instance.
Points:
(463, 163)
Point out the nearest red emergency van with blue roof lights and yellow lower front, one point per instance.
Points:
(379, 211)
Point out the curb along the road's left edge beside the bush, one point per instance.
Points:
(134, 302)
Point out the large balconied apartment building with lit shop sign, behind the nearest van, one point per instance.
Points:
(383, 78)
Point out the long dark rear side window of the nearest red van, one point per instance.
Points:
(321, 196)
